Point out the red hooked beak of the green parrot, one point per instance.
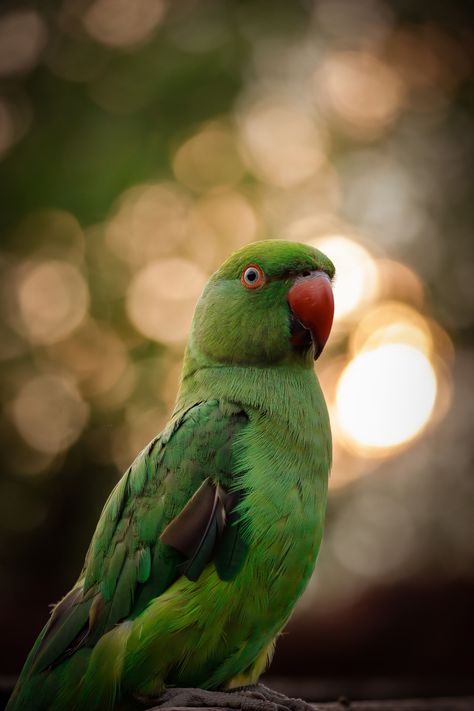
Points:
(312, 303)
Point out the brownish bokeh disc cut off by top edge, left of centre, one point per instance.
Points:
(120, 23)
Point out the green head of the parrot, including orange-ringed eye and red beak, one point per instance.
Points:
(270, 302)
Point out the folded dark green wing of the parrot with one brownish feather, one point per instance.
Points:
(173, 511)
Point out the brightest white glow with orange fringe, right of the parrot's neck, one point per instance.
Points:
(386, 394)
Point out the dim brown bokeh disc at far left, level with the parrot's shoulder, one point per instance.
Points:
(49, 413)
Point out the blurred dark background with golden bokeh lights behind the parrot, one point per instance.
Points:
(141, 143)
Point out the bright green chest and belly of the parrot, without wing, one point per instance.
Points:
(281, 466)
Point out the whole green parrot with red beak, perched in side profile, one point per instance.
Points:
(210, 537)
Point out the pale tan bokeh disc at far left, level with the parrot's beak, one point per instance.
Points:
(53, 299)
